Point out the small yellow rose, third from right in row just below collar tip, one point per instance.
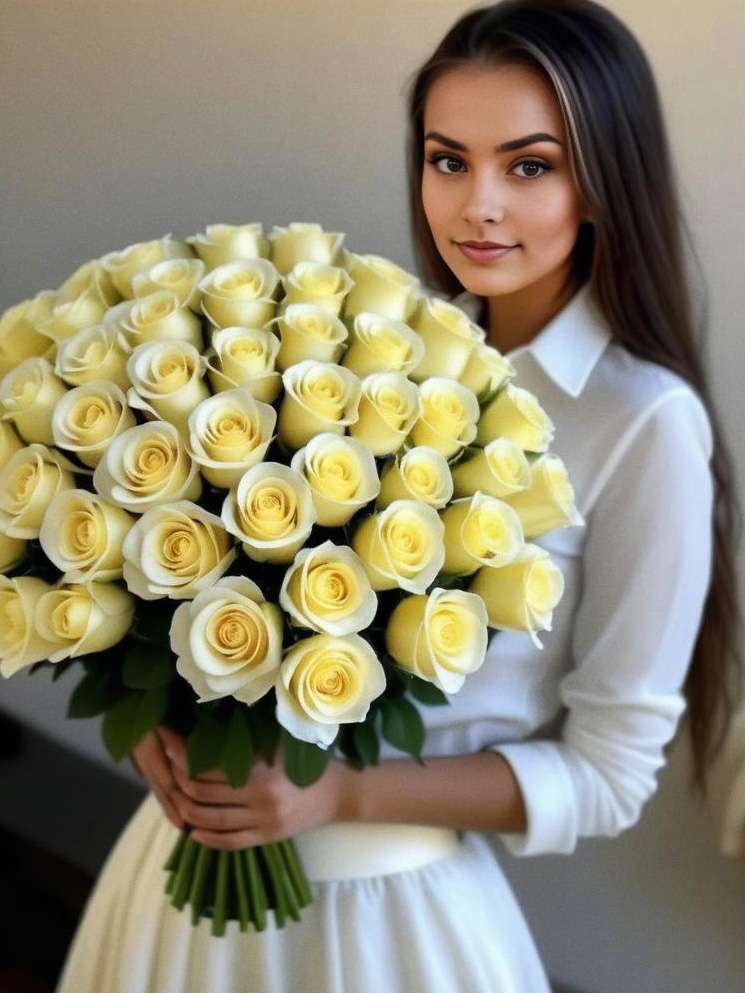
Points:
(389, 406)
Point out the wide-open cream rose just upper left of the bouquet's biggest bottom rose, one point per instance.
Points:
(176, 550)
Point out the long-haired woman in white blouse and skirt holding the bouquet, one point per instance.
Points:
(542, 199)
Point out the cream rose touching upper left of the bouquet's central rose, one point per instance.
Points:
(228, 434)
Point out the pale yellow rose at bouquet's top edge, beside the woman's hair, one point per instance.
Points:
(381, 287)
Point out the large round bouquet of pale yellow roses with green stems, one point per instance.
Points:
(237, 487)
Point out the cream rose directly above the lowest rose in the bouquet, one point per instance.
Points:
(327, 590)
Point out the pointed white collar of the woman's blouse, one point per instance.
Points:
(569, 346)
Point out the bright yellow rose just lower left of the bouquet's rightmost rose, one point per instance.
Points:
(480, 530)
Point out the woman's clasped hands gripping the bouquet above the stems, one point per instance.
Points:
(270, 807)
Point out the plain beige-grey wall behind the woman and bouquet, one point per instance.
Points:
(123, 120)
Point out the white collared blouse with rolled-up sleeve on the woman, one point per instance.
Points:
(583, 721)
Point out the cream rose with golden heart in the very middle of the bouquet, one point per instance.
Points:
(271, 511)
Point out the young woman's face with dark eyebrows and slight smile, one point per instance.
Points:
(475, 191)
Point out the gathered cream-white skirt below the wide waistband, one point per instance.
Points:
(449, 926)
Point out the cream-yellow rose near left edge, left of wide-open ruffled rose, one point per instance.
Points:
(82, 534)
